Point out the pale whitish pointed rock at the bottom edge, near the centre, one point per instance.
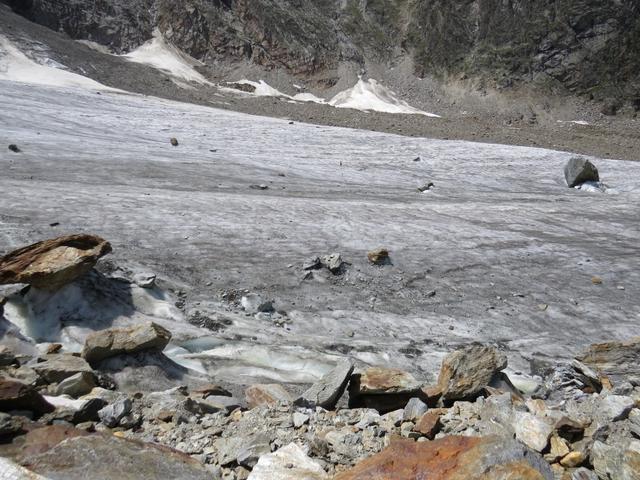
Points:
(287, 463)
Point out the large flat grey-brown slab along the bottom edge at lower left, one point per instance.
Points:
(105, 457)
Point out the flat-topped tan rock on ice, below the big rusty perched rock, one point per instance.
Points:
(116, 341)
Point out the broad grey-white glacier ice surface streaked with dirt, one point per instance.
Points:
(500, 250)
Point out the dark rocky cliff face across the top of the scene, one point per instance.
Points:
(587, 47)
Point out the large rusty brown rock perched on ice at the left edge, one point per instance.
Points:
(53, 263)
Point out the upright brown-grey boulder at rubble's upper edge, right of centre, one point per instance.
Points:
(465, 372)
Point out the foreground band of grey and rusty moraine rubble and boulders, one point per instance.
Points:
(63, 412)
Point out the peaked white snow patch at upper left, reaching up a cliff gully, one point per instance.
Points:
(162, 55)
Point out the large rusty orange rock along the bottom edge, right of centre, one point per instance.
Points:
(452, 458)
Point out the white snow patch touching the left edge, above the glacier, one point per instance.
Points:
(15, 66)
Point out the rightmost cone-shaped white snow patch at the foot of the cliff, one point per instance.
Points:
(370, 95)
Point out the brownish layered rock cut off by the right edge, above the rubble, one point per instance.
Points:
(615, 361)
